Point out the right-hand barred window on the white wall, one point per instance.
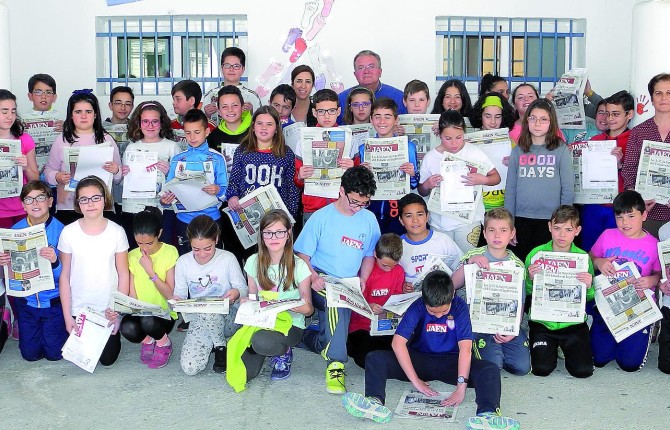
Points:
(534, 50)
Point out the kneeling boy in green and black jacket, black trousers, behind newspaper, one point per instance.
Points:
(545, 336)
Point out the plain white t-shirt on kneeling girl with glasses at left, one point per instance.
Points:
(93, 274)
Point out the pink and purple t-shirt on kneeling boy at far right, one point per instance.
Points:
(643, 251)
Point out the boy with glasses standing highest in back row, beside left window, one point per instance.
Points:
(233, 62)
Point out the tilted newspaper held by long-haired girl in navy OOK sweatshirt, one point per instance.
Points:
(254, 205)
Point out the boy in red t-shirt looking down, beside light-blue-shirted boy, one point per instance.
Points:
(386, 279)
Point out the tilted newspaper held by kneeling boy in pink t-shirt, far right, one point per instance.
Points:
(624, 309)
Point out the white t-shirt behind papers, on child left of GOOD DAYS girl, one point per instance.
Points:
(431, 166)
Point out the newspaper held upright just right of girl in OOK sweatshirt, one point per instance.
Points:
(322, 148)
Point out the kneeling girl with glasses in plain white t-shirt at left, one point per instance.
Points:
(94, 259)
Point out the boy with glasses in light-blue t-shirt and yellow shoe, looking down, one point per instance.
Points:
(338, 240)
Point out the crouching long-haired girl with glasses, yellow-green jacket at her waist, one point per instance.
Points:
(276, 273)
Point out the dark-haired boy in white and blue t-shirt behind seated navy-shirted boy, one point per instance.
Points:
(420, 242)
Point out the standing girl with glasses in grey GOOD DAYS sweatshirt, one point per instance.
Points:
(540, 177)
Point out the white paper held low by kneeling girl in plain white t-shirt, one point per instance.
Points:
(88, 339)
